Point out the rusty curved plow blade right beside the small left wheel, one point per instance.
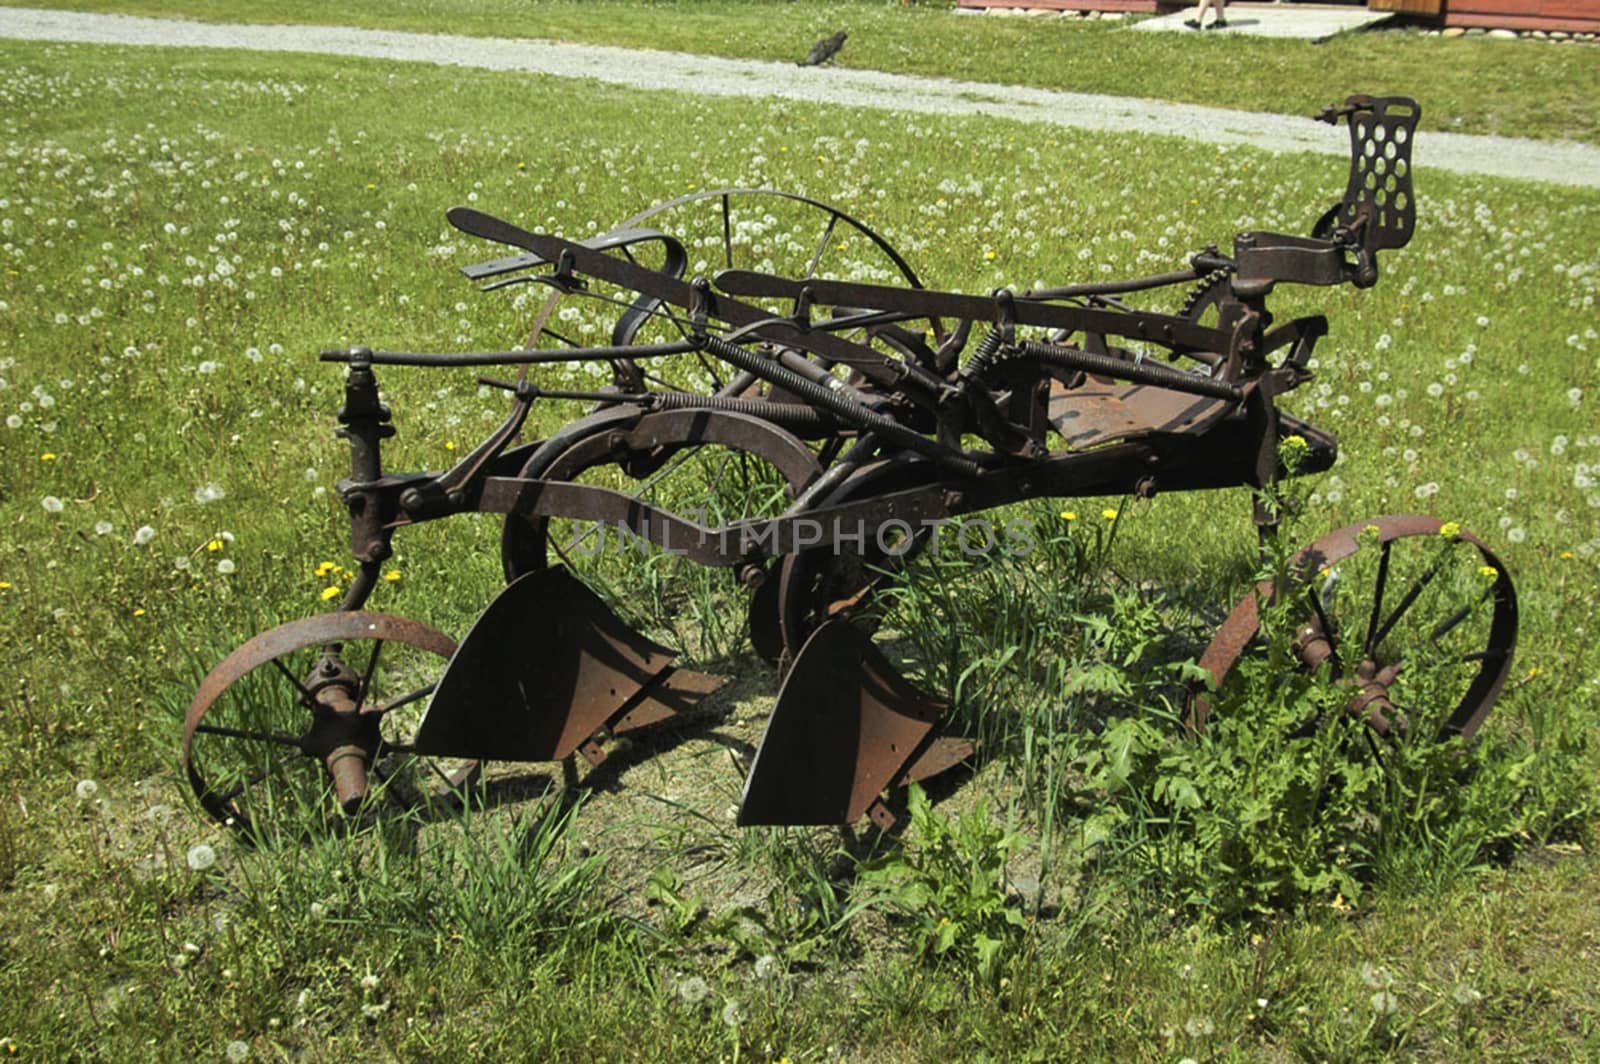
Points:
(545, 670)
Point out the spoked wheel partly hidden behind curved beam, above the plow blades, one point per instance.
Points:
(714, 468)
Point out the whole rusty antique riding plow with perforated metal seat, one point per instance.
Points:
(812, 436)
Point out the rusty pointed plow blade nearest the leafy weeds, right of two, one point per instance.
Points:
(847, 729)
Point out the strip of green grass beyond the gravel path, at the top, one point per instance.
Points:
(1473, 86)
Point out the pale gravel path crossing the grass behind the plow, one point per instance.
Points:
(1502, 158)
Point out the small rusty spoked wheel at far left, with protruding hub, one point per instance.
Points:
(313, 721)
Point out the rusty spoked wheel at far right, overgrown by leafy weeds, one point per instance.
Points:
(1415, 617)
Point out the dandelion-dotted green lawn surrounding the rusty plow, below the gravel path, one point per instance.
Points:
(175, 260)
